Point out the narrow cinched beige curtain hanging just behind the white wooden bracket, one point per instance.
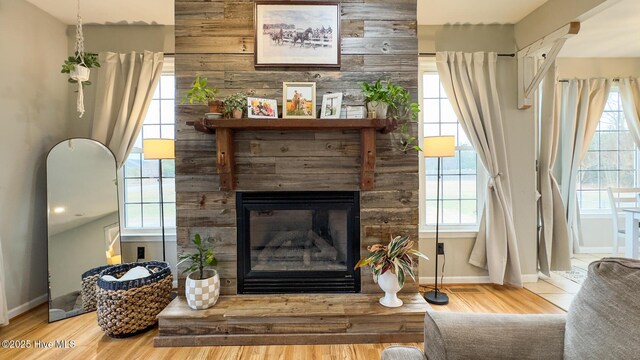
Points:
(553, 248)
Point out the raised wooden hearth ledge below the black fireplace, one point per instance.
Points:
(292, 320)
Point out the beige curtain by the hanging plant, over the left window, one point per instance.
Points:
(125, 86)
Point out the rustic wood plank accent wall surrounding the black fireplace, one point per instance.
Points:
(214, 38)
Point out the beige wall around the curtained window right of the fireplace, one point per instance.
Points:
(519, 132)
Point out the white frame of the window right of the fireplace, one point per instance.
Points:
(428, 66)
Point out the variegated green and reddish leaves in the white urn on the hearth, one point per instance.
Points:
(395, 257)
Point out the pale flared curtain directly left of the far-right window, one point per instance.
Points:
(582, 105)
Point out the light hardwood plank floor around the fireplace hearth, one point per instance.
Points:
(90, 343)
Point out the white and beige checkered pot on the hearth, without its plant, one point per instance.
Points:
(202, 294)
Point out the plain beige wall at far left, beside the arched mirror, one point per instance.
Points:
(33, 108)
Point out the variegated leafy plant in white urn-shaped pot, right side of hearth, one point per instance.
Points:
(390, 266)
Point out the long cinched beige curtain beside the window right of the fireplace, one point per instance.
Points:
(469, 79)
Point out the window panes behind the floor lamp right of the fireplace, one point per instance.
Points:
(460, 198)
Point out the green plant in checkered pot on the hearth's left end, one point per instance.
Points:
(202, 286)
